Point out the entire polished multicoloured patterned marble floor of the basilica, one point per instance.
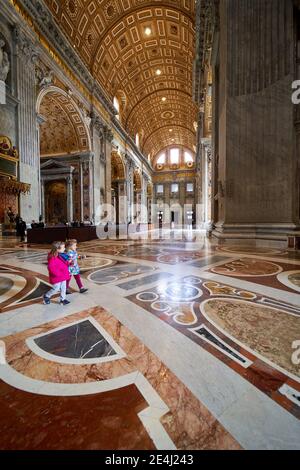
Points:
(178, 344)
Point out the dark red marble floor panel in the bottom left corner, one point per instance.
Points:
(102, 421)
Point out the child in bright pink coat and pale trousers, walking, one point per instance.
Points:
(58, 273)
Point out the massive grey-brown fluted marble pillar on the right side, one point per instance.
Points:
(254, 134)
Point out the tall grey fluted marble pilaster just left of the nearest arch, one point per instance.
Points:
(25, 58)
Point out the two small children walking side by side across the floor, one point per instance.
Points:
(62, 266)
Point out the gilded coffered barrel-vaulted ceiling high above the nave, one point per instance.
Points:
(143, 52)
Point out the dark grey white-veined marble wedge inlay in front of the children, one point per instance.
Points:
(80, 341)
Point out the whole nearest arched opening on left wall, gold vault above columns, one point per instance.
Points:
(65, 176)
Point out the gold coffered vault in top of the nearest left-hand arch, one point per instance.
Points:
(64, 130)
